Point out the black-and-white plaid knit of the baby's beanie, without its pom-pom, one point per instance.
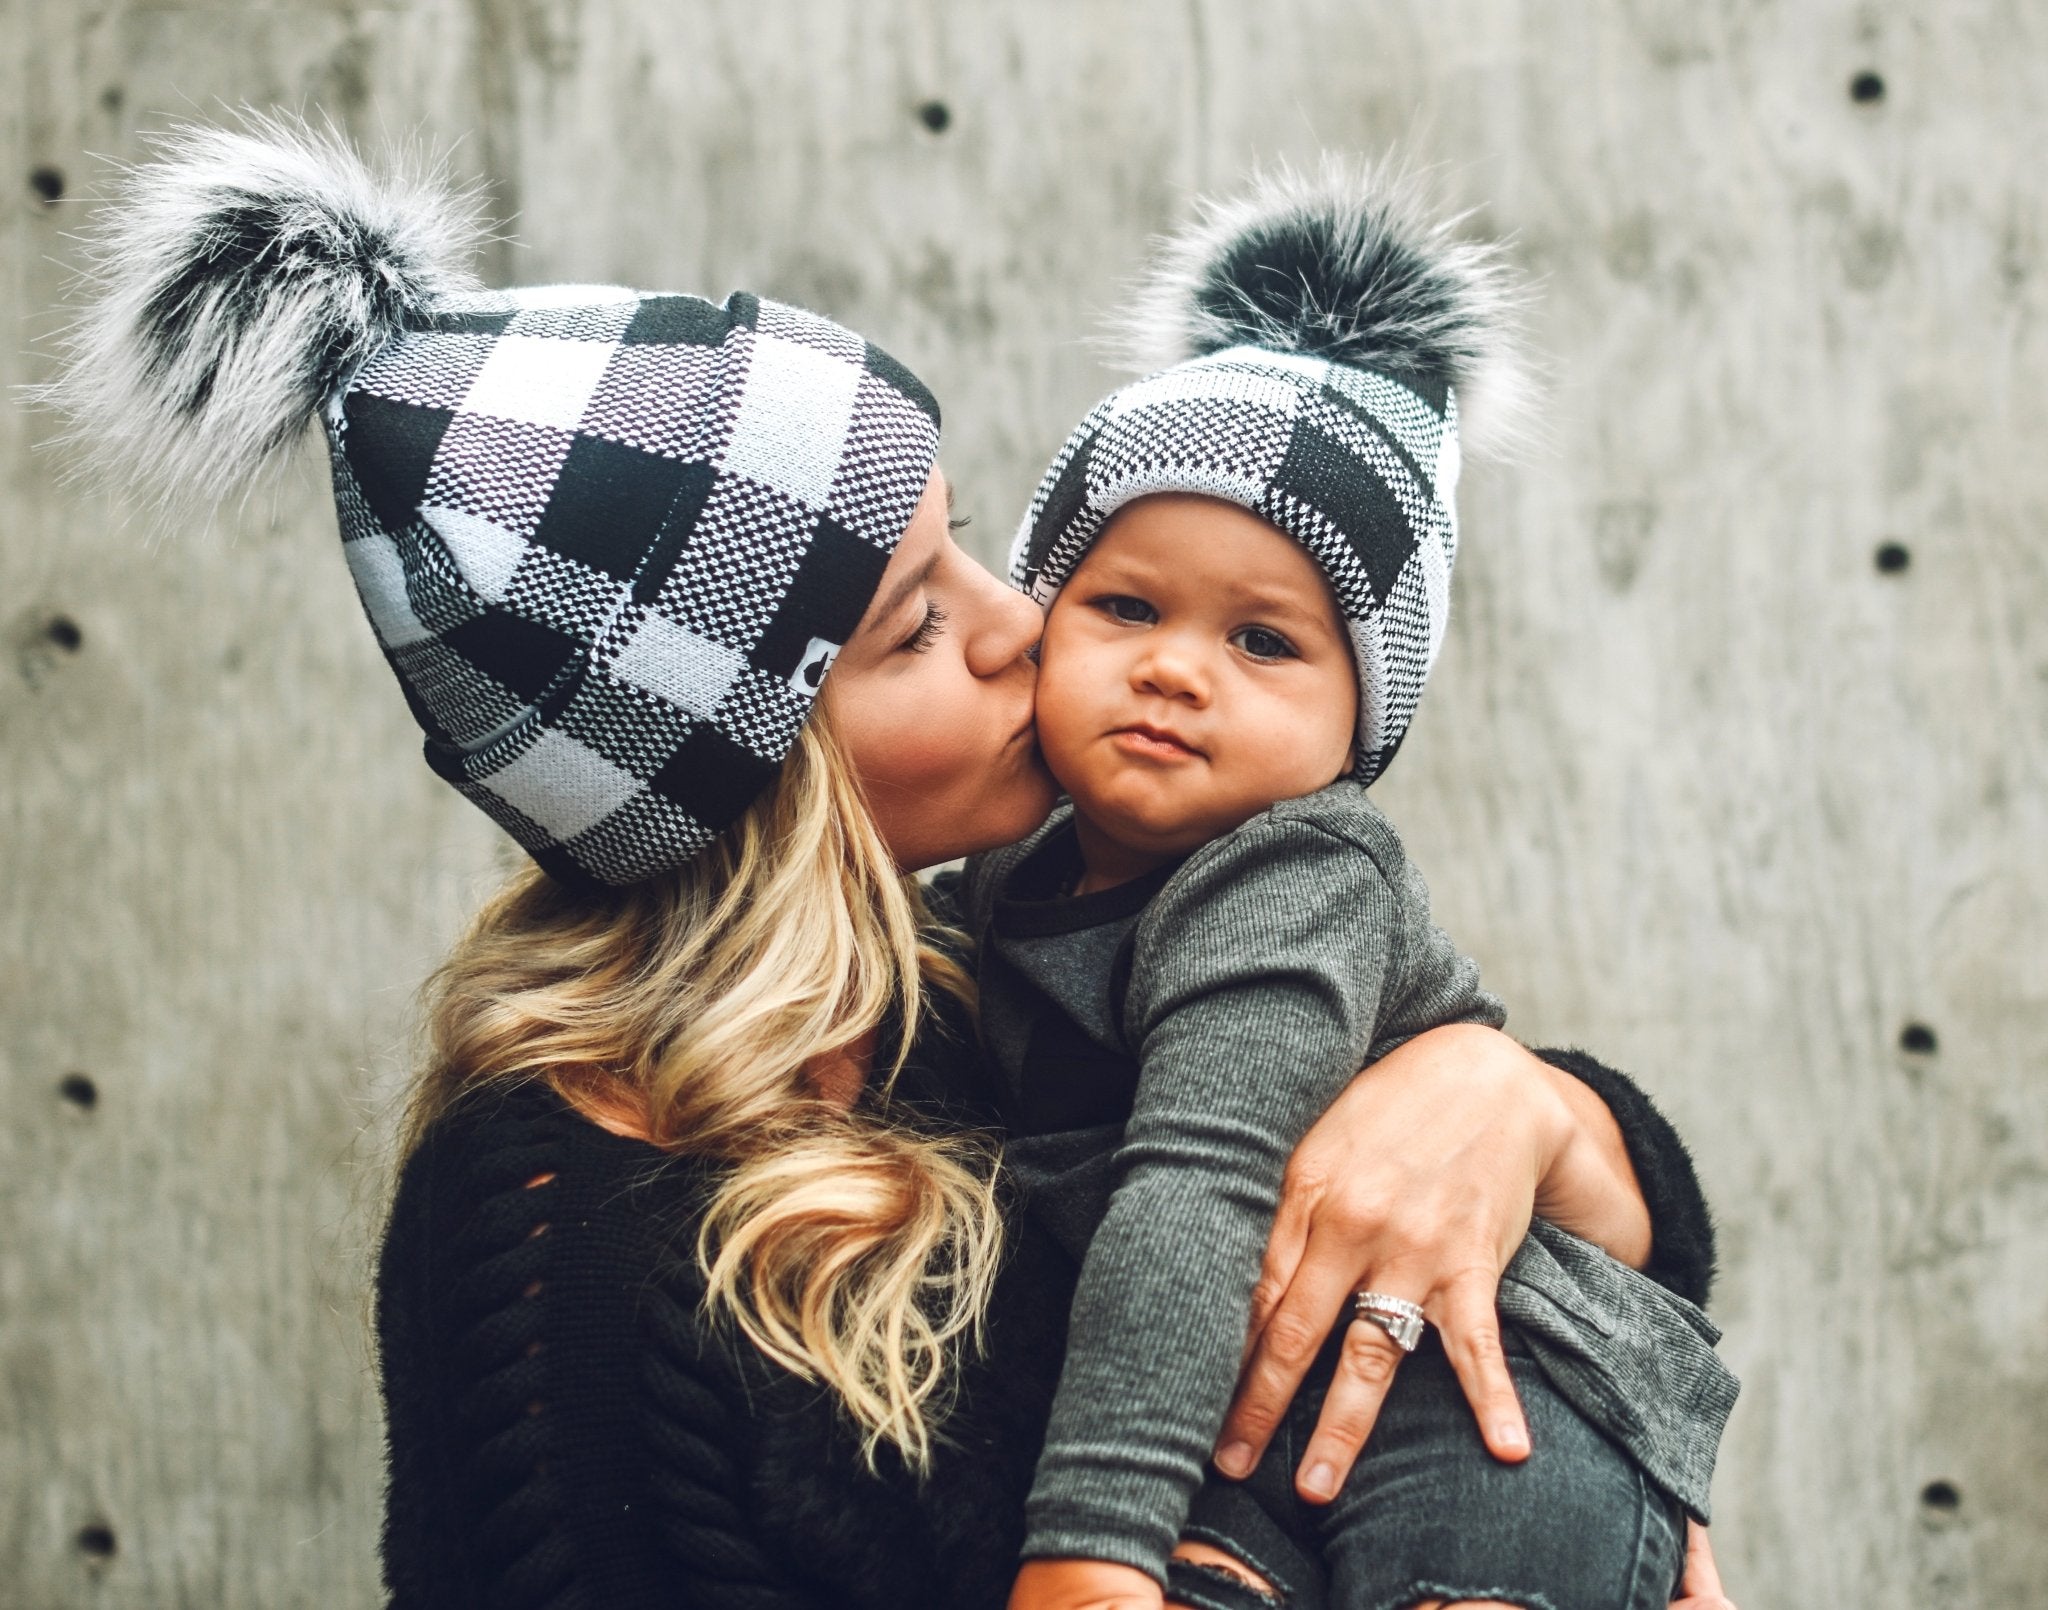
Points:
(1359, 468)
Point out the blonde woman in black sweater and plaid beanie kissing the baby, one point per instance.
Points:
(699, 1283)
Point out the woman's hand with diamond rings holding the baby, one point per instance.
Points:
(1420, 1183)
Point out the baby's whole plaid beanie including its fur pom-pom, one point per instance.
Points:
(1324, 345)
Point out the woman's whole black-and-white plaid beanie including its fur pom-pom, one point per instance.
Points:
(609, 542)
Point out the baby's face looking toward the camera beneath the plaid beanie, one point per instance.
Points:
(1193, 673)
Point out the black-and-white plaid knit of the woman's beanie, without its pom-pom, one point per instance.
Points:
(611, 544)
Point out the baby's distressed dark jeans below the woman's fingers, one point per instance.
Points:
(1431, 1515)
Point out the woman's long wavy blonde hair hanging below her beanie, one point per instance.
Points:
(849, 1248)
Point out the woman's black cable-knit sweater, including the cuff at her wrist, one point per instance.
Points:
(568, 1431)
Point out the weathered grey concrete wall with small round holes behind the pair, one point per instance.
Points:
(1703, 781)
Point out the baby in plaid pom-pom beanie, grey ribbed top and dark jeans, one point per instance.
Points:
(1246, 562)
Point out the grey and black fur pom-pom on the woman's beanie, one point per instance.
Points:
(230, 288)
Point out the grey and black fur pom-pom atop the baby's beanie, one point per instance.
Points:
(1351, 263)
